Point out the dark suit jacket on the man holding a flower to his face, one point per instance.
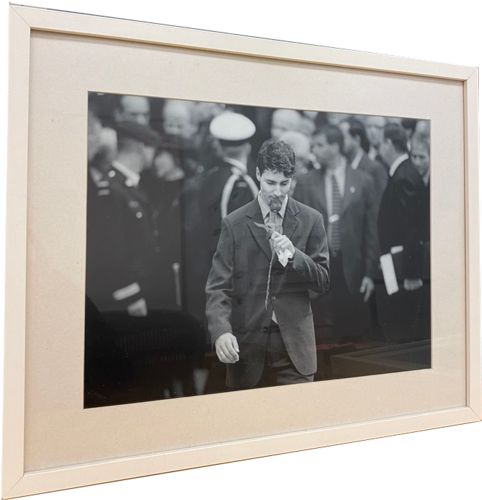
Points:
(237, 282)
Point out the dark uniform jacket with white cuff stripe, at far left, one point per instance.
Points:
(121, 245)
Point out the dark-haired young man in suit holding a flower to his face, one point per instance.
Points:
(271, 254)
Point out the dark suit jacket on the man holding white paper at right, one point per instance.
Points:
(401, 218)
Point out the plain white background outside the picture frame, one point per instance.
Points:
(442, 463)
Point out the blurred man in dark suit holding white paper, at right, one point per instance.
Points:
(400, 222)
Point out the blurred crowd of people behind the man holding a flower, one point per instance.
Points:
(163, 174)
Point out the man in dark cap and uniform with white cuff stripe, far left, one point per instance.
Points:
(121, 235)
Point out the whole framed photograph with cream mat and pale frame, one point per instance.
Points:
(221, 247)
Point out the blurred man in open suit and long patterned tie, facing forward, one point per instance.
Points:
(345, 198)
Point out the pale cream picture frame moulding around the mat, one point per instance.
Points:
(23, 21)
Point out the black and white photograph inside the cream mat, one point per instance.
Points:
(232, 247)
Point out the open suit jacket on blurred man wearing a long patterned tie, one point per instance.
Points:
(357, 221)
